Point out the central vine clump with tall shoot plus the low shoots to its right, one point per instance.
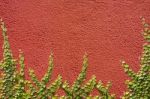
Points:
(79, 90)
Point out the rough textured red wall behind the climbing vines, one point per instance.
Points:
(108, 30)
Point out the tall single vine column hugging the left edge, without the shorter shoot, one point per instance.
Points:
(8, 66)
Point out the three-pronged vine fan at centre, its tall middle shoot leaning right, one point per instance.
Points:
(77, 91)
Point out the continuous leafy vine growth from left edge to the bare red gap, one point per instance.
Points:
(13, 84)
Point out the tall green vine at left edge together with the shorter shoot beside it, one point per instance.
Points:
(12, 82)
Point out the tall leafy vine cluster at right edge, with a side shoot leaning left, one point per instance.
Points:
(139, 85)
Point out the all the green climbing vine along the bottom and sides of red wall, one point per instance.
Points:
(13, 84)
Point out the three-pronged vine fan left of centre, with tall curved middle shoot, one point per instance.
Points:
(42, 91)
